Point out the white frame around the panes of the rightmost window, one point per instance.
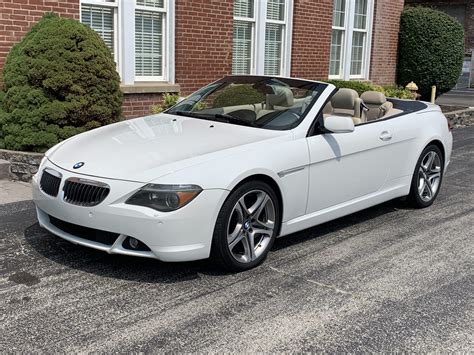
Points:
(348, 30)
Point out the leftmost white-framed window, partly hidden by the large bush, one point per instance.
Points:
(140, 33)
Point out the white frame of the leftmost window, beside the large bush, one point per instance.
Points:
(124, 39)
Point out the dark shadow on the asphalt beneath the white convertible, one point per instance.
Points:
(137, 269)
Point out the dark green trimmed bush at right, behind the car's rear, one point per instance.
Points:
(431, 50)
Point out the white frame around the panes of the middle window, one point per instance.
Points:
(258, 37)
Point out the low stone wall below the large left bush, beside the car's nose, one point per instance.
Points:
(23, 165)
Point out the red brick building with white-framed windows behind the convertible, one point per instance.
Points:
(180, 45)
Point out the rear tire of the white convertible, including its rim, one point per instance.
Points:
(427, 178)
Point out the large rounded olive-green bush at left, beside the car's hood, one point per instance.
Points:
(60, 80)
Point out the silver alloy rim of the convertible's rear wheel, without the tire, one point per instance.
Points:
(429, 176)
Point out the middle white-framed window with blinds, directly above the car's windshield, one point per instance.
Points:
(262, 31)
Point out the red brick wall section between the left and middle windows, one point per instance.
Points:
(203, 42)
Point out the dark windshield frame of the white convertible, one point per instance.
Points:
(317, 87)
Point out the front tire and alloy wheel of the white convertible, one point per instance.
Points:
(250, 215)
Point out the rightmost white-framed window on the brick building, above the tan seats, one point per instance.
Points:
(350, 39)
